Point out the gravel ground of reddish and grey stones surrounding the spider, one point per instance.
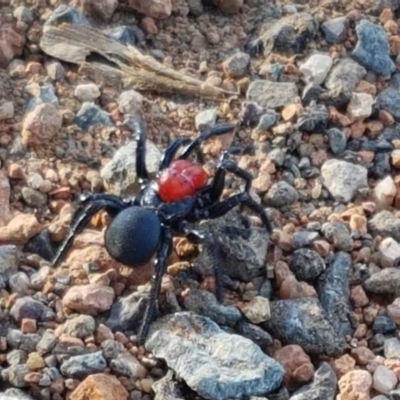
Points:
(314, 89)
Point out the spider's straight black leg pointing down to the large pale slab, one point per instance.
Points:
(159, 270)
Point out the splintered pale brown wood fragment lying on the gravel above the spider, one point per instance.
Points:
(75, 43)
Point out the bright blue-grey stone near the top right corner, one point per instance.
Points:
(372, 49)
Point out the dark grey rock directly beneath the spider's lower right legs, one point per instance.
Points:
(243, 250)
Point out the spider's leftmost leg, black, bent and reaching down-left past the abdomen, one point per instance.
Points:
(79, 220)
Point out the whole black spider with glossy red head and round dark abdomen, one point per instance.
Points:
(181, 195)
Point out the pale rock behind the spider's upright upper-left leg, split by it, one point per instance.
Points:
(119, 174)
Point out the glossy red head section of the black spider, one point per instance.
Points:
(181, 179)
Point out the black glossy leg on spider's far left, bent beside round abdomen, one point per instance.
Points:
(89, 206)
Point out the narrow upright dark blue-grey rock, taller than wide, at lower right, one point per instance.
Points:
(334, 293)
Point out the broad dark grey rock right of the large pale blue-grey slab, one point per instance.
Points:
(302, 321)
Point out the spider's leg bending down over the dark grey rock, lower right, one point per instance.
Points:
(206, 239)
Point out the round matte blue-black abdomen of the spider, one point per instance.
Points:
(133, 236)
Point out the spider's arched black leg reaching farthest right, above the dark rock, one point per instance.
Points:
(220, 209)
